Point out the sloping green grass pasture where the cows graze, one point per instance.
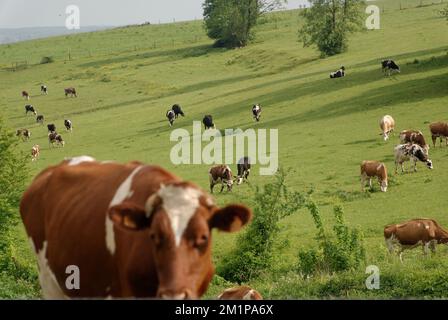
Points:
(128, 77)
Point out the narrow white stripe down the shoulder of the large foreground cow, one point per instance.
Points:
(123, 192)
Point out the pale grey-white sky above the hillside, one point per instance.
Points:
(49, 13)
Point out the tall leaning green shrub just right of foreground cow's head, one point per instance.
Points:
(254, 253)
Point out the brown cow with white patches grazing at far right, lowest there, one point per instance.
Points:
(411, 234)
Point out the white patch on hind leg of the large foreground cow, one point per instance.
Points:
(50, 286)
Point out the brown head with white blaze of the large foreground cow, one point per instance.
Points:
(179, 220)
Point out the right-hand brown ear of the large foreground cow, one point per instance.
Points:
(231, 218)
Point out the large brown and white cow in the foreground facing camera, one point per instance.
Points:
(133, 230)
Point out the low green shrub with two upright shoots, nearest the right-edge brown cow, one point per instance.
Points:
(341, 251)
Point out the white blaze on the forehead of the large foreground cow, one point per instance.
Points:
(180, 204)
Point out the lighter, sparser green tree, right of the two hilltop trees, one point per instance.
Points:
(328, 23)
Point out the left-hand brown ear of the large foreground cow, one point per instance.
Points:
(129, 216)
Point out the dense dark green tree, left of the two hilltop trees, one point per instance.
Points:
(231, 22)
